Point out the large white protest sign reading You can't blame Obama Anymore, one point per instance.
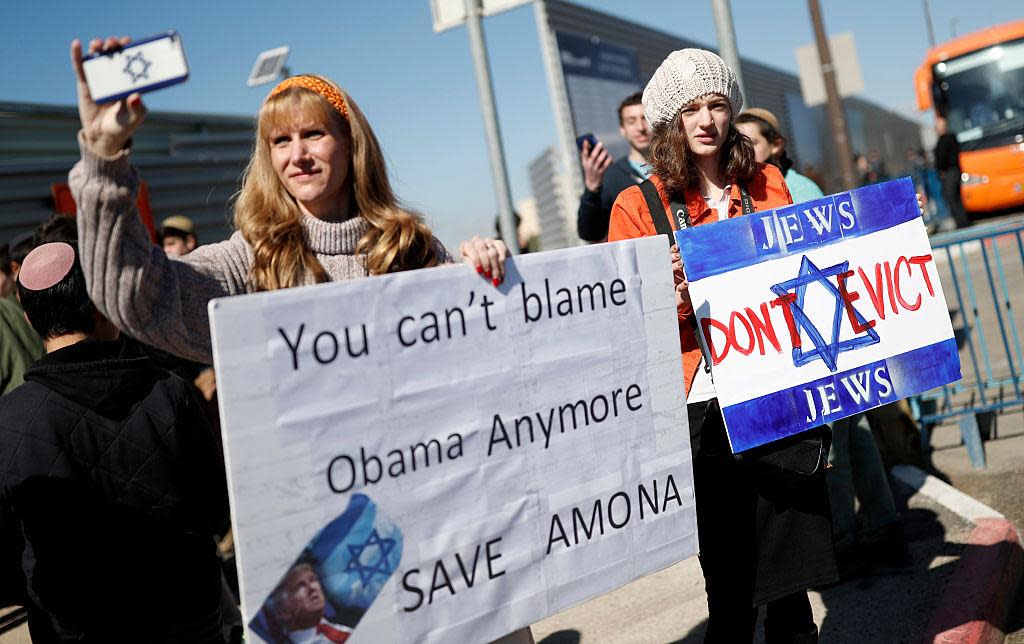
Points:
(425, 458)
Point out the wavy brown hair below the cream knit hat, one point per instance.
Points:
(675, 165)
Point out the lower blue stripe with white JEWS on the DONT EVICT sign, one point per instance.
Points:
(789, 412)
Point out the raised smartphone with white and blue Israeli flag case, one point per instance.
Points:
(142, 66)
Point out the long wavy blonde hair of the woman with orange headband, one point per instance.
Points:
(271, 221)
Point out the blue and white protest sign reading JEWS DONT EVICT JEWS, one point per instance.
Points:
(817, 312)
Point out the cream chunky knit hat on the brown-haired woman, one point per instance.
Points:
(686, 75)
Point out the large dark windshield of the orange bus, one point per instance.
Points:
(983, 95)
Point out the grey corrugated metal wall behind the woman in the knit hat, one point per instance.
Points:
(873, 128)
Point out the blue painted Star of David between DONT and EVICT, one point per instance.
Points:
(825, 352)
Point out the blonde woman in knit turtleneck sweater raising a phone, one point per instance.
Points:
(316, 206)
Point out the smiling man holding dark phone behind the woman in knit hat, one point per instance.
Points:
(606, 179)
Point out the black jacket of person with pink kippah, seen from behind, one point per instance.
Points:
(112, 490)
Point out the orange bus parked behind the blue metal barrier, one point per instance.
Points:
(977, 82)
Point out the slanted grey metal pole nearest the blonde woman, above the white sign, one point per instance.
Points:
(490, 113)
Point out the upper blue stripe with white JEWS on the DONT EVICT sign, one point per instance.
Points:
(716, 249)
